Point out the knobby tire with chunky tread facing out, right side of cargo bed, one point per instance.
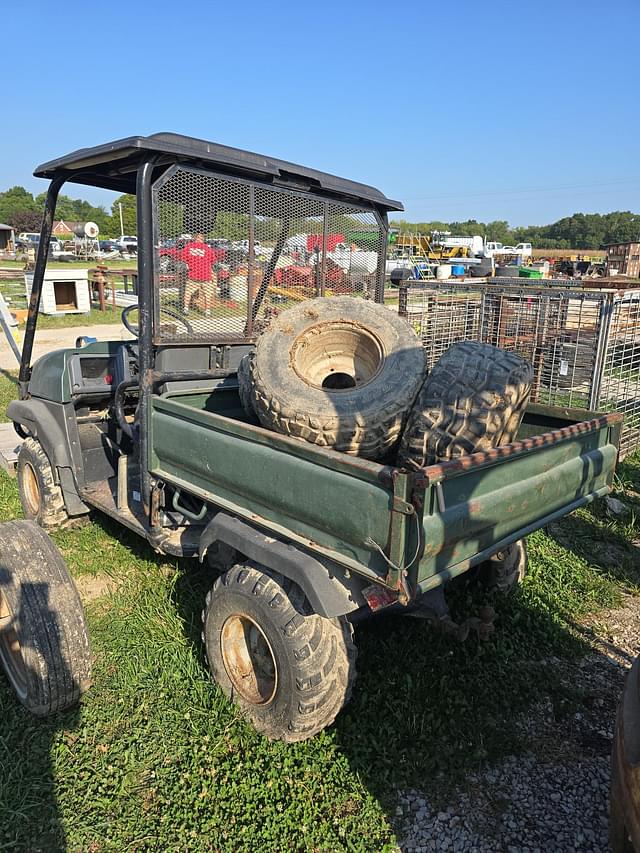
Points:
(473, 399)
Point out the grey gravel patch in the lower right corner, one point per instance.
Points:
(554, 796)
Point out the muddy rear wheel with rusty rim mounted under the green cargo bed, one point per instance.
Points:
(310, 659)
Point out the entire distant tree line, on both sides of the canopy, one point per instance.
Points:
(20, 209)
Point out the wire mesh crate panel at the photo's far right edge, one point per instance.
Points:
(620, 380)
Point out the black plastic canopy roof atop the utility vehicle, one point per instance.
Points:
(113, 166)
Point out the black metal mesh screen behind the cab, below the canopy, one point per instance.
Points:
(231, 254)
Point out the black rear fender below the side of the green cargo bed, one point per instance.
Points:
(330, 589)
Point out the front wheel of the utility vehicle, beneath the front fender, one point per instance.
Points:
(40, 496)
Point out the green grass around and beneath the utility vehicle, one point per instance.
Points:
(156, 759)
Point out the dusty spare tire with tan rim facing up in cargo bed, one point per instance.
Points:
(338, 372)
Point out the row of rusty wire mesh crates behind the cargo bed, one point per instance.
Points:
(584, 345)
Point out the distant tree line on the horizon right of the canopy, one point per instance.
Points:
(579, 231)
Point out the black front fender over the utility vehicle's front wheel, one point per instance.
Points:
(55, 427)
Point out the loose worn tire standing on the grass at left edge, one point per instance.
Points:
(44, 645)
